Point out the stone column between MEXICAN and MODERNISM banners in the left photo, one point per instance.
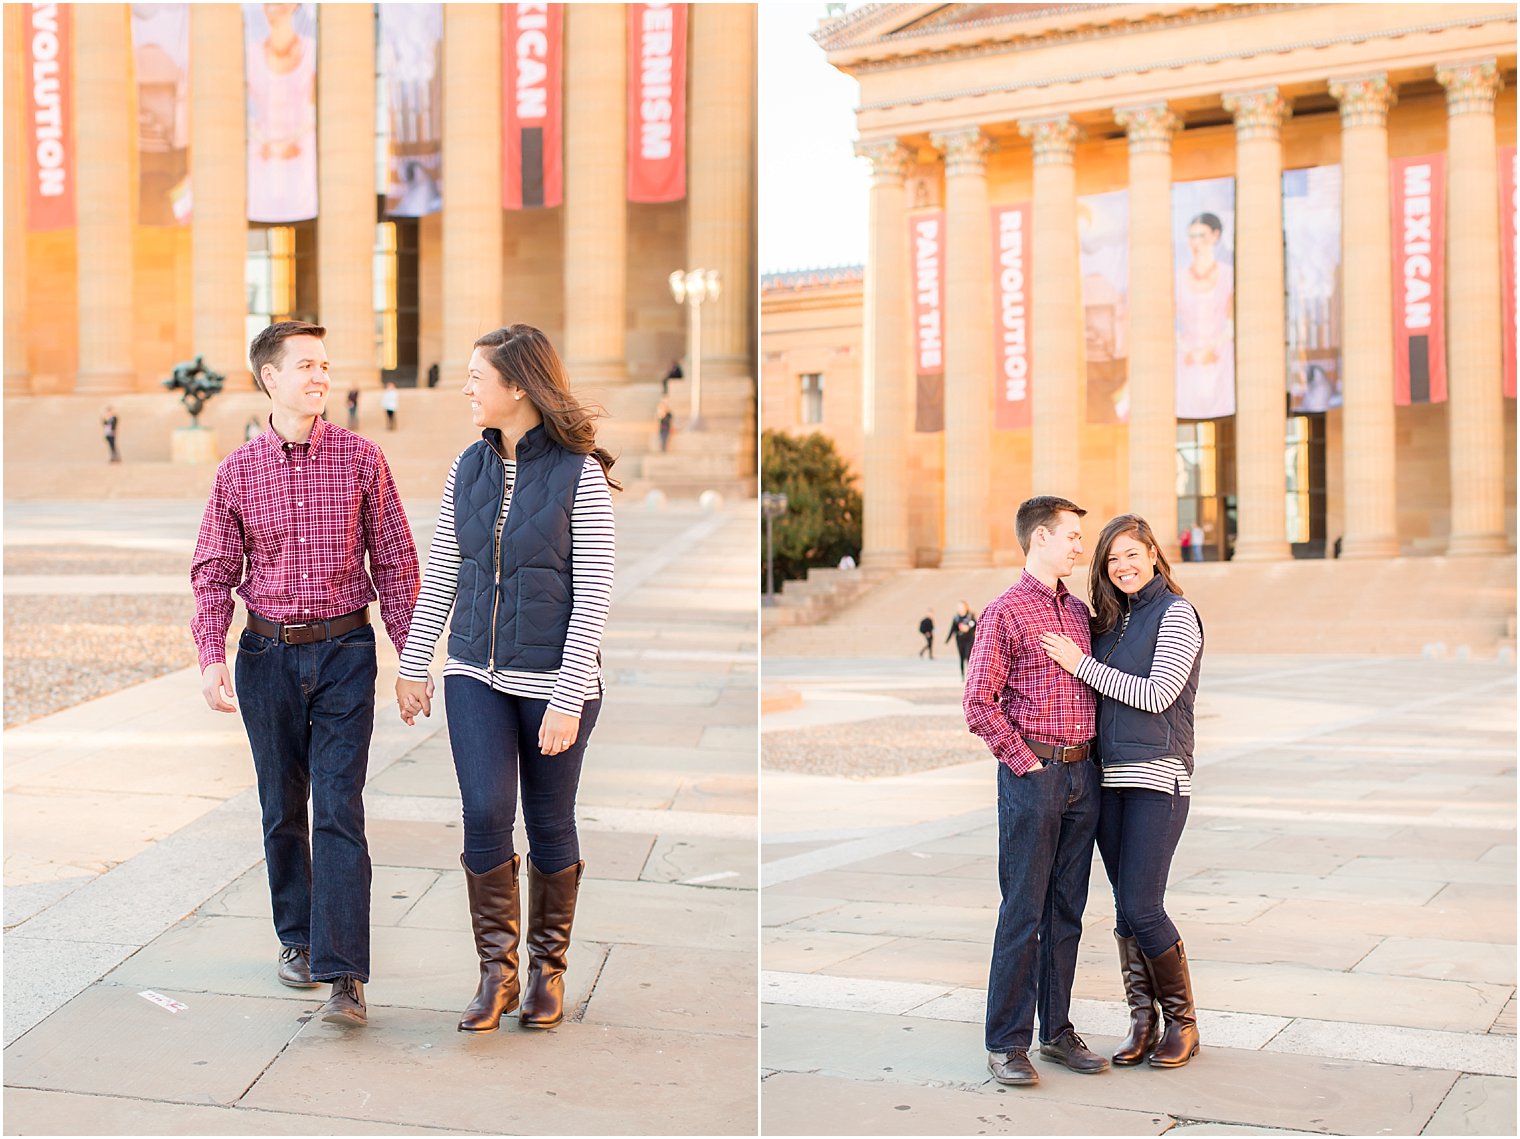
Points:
(597, 189)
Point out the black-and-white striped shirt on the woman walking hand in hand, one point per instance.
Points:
(592, 557)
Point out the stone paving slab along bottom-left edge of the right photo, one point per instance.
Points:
(822, 1106)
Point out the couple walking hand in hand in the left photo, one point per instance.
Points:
(522, 554)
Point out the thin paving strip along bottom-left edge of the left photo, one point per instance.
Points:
(31, 1112)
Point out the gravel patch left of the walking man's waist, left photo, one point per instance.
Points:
(63, 652)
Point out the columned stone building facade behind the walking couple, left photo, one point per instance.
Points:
(107, 305)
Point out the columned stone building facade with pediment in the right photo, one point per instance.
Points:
(971, 110)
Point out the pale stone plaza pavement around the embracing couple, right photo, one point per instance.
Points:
(1346, 889)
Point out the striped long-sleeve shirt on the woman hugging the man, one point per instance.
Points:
(1177, 647)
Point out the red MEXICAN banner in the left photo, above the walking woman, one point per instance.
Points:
(533, 86)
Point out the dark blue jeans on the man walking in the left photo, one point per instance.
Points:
(309, 711)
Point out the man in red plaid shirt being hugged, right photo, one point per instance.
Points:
(1039, 723)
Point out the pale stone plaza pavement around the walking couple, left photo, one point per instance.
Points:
(135, 866)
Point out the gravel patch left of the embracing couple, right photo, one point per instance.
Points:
(891, 746)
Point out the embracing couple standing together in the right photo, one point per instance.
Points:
(1091, 717)
